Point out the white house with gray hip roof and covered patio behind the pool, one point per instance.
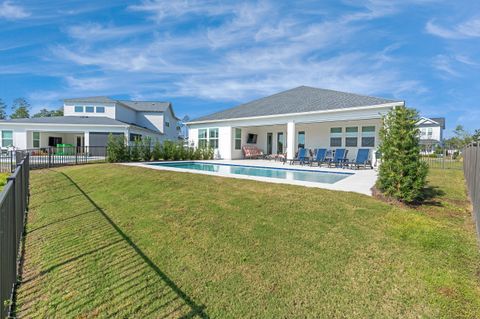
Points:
(301, 117)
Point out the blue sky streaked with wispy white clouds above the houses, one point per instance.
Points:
(207, 55)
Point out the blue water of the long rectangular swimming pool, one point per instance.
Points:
(281, 173)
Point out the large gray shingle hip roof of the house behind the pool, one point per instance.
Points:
(298, 100)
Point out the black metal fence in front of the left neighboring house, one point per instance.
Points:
(54, 156)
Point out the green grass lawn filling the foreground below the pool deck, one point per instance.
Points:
(117, 241)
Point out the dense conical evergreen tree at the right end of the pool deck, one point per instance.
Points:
(402, 173)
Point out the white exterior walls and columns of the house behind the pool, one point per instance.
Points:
(316, 127)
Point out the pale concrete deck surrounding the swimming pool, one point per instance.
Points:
(361, 181)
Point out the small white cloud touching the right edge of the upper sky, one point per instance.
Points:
(467, 29)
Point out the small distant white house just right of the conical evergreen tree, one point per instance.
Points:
(431, 133)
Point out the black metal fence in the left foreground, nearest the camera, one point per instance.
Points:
(13, 207)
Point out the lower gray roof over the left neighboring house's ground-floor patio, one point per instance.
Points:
(74, 120)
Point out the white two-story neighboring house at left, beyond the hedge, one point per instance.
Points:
(88, 122)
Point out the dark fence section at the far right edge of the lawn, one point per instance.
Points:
(471, 164)
